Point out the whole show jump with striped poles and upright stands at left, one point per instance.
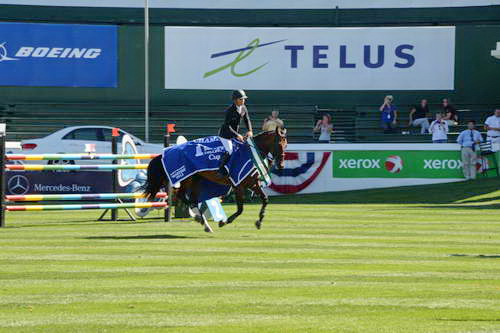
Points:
(118, 204)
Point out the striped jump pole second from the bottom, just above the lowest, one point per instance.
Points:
(61, 197)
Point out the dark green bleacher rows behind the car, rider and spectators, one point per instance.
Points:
(361, 124)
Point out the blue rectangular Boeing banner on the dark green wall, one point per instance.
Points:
(58, 55)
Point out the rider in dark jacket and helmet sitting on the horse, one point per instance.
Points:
(230, 127)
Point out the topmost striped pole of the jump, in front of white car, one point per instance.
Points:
(44, 157)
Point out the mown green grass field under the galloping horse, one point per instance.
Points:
(414, 259)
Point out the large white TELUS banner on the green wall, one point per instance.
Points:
(396, 58)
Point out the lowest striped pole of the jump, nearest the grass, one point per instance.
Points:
(89, 206)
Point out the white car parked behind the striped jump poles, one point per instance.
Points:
(72, 140)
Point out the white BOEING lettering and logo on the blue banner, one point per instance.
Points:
(49, 52)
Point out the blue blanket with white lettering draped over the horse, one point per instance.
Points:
(182, 161)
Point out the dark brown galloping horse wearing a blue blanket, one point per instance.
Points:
(272, 142)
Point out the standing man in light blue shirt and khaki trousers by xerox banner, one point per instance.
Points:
(468, 140)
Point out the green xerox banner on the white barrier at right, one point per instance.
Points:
(397, 164)
